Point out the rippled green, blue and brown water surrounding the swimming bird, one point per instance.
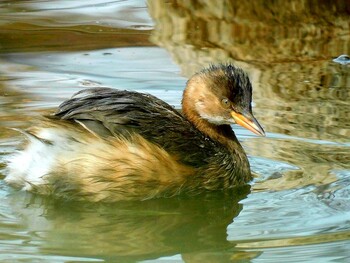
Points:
(297, 209)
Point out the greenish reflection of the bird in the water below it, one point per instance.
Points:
(194, 227)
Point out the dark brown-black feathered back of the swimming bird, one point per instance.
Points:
(113, 113)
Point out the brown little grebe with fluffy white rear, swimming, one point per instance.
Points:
(107, 145)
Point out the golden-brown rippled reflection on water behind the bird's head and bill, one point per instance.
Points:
(299, 91)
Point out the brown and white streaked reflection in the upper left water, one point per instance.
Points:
(65, 25)
